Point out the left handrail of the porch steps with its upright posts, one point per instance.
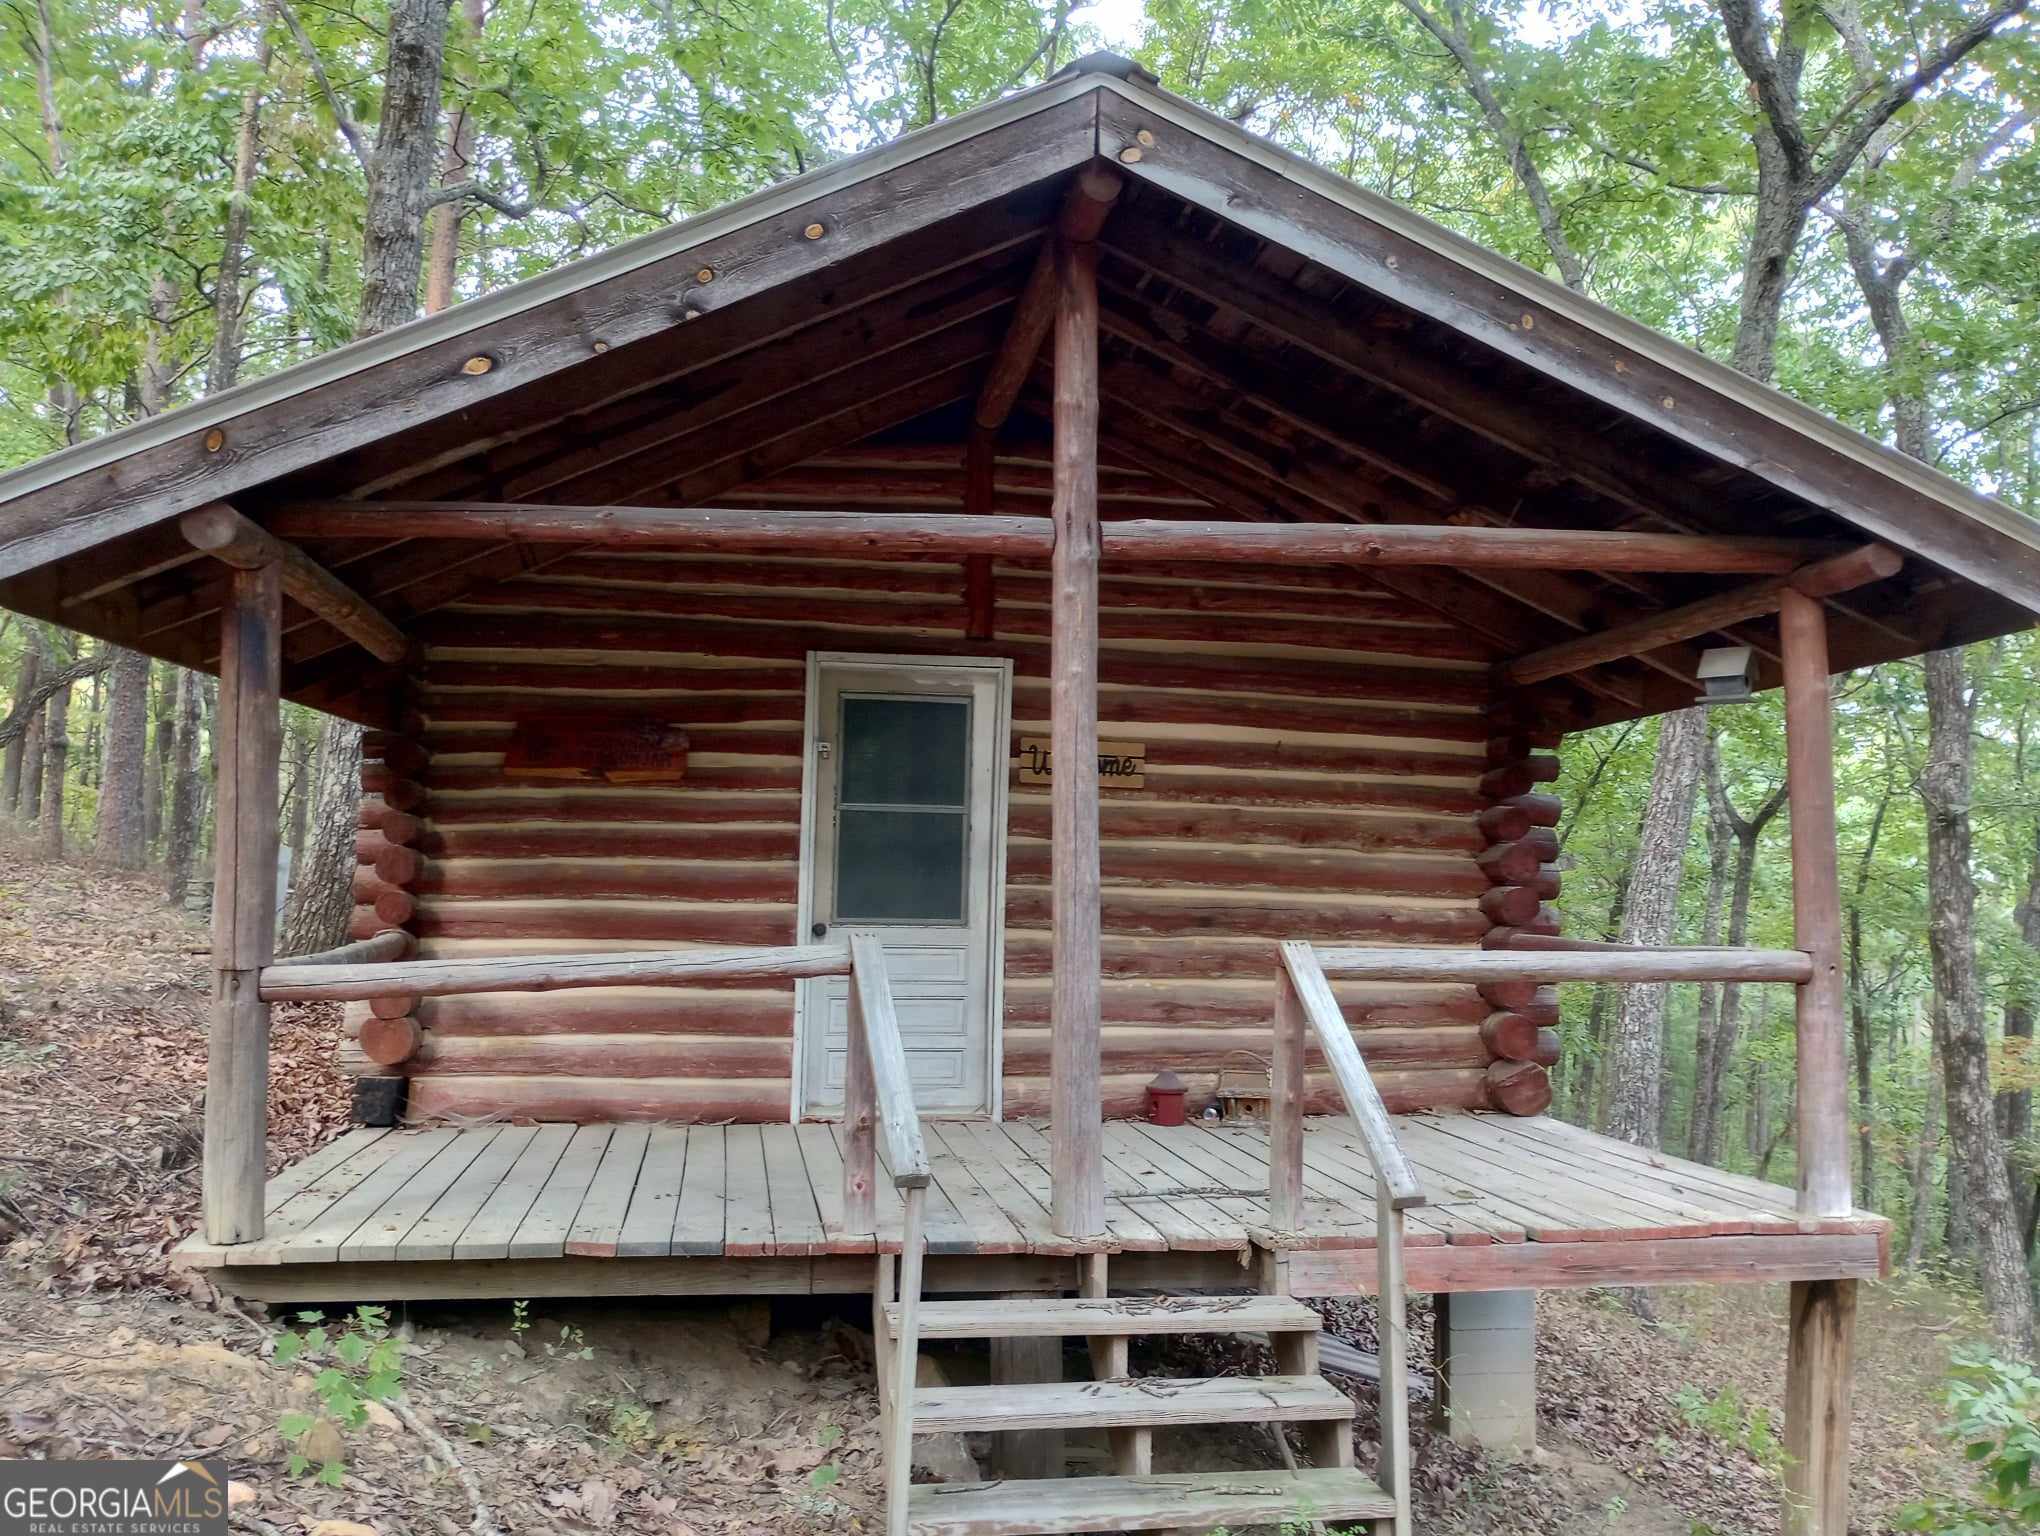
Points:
(878, 1103)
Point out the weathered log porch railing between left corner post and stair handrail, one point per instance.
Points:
(546, 972)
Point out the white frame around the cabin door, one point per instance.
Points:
(1001, 672)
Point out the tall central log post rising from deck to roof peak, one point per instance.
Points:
(1074, 1098)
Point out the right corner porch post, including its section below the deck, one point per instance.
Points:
(1821, 1349)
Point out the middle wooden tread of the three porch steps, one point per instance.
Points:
(1129, 1402)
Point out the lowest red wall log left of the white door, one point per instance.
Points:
(593, 1100)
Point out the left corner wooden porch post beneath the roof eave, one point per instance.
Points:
(244, 905)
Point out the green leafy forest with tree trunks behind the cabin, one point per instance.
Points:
(1837, 197)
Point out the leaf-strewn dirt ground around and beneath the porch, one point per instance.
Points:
(674, 1419)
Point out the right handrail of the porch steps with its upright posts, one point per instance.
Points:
(1305, 1005)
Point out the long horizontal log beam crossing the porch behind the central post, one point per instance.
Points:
(1133, 542)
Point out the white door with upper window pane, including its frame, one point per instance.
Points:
(907, 839)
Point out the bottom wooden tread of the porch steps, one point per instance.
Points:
(1158, 1502)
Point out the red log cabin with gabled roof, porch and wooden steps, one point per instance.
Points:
(864, 680)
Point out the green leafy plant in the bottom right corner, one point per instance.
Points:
(1994, 1409)
